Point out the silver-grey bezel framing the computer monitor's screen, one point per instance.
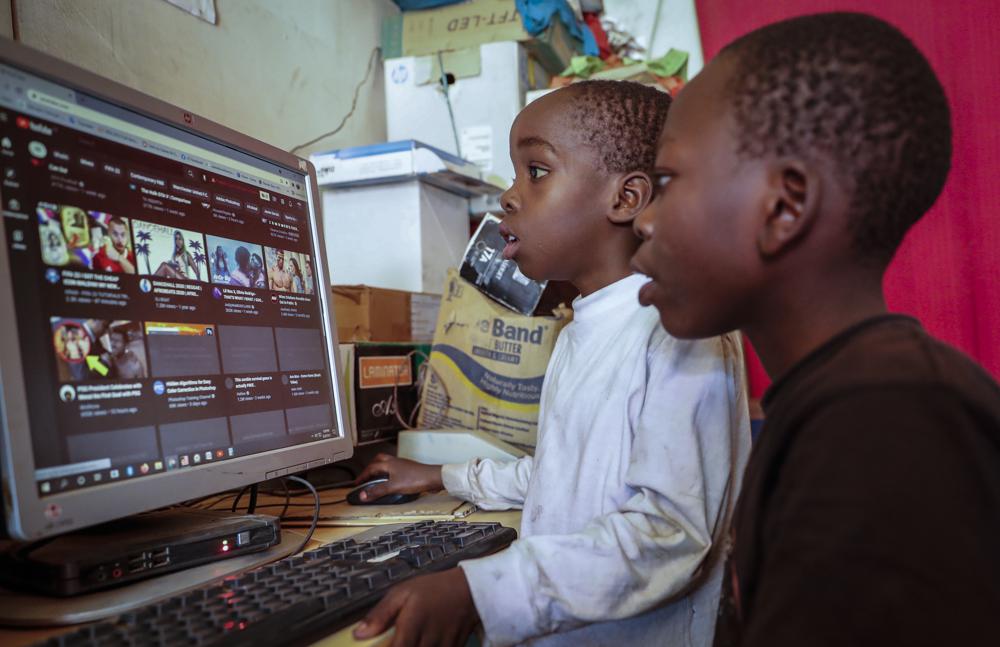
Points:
(28, 515)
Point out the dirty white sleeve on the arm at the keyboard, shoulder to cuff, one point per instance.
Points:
(650, 550)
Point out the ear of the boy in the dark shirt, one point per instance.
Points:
(791, 207)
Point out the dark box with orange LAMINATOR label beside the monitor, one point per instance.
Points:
(382, 387)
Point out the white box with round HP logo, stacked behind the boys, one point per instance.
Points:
(486, 93)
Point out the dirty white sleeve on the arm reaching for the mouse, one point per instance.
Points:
(490, 484)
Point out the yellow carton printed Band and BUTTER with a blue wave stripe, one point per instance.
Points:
(487, 365)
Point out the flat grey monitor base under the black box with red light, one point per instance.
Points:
(27, 609)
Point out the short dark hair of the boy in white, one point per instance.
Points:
(622, 120)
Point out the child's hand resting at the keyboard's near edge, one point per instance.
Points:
(434, 609)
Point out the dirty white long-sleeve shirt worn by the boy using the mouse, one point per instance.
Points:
(642, 440)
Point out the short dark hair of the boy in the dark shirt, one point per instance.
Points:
(855, 89)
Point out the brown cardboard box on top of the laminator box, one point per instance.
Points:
(365, 313)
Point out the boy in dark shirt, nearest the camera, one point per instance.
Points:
(788, 173)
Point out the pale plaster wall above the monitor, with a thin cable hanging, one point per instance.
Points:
(282, 71)
